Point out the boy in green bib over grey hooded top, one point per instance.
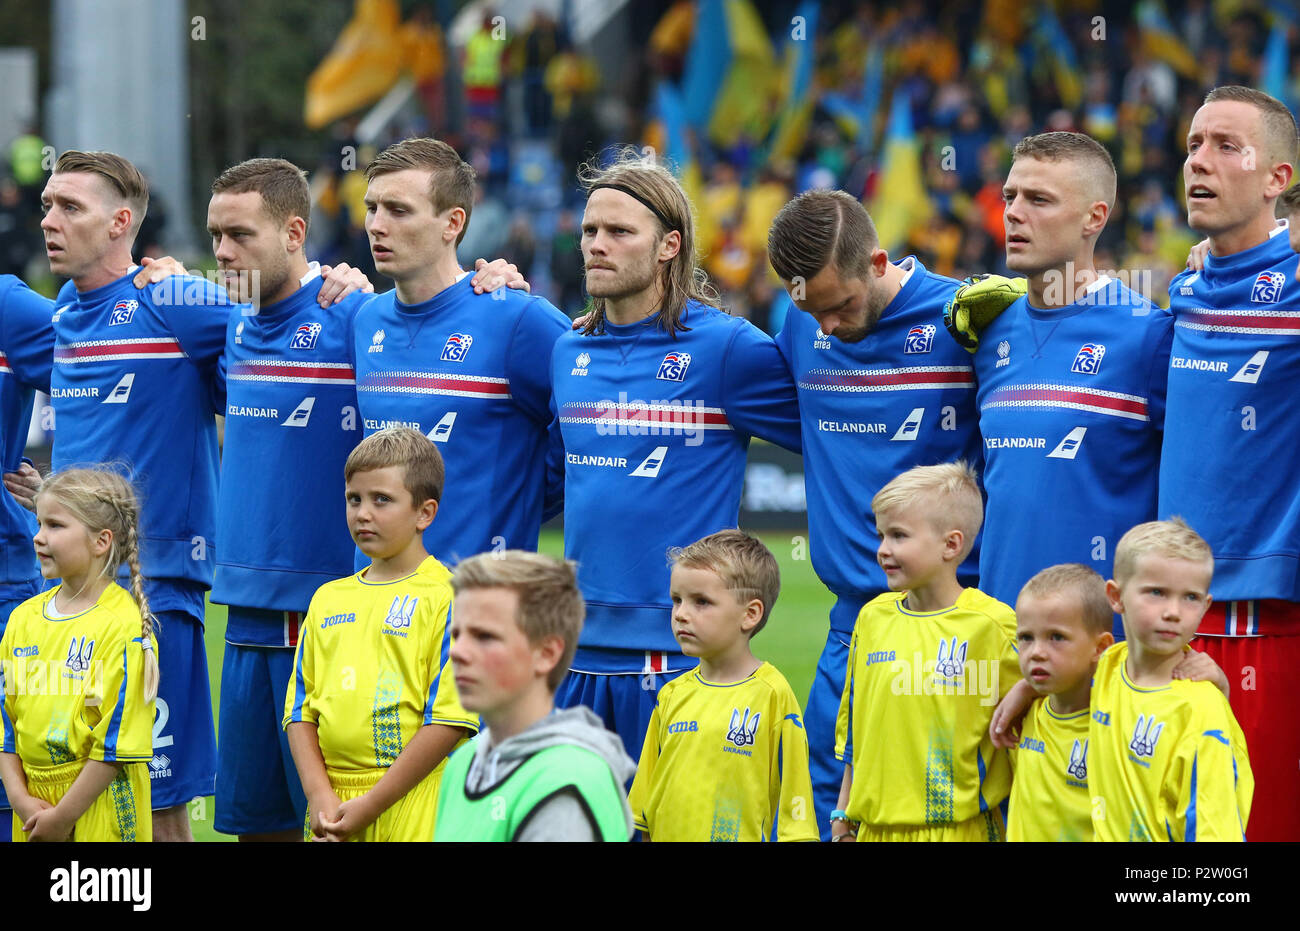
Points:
(534, 774)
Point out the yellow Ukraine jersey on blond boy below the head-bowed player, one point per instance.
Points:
(918, 699)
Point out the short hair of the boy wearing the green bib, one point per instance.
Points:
(551, 604)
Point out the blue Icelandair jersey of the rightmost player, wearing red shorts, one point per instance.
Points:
(1233, 434)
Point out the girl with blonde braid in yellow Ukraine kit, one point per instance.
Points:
(80, 669)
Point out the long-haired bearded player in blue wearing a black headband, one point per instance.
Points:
(657, 397)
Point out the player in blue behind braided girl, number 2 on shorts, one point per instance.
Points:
(135, 380)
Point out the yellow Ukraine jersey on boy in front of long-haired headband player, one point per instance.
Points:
(726, 761)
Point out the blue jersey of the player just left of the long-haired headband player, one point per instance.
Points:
(473, 373)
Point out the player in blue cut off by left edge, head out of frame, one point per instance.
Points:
(27, 350)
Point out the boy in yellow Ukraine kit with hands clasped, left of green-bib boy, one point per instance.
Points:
(372, 711)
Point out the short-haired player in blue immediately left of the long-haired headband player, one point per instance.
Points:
(469, 370)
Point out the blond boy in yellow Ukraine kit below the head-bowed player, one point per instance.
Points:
(928, 664)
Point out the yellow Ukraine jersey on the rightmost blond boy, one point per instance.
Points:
(1168, 764)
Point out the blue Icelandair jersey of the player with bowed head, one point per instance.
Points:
(902, 397)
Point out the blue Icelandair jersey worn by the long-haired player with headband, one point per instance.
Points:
(656, 427)
